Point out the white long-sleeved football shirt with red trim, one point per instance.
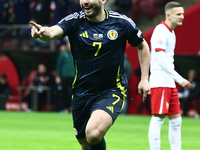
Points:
(163, 42)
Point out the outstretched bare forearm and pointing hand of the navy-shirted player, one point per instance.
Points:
(46, 33)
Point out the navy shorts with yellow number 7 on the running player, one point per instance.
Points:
(111, 102)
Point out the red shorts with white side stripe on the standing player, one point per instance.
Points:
(164, 101)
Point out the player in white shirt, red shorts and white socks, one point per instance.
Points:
(164, 94)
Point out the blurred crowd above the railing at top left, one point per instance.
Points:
(45, 12)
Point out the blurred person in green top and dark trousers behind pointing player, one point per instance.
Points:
(65, 73)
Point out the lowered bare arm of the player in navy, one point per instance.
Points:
(144, 59)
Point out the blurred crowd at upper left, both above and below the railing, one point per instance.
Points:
(20, 12)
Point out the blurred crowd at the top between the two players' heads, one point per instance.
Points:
(138, 9)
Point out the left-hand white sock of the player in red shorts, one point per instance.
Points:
(154, 132)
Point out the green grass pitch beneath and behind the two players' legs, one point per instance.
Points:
(53, 131)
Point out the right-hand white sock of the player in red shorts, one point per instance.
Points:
(175, 133)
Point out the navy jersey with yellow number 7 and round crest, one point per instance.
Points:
(98, 50)
